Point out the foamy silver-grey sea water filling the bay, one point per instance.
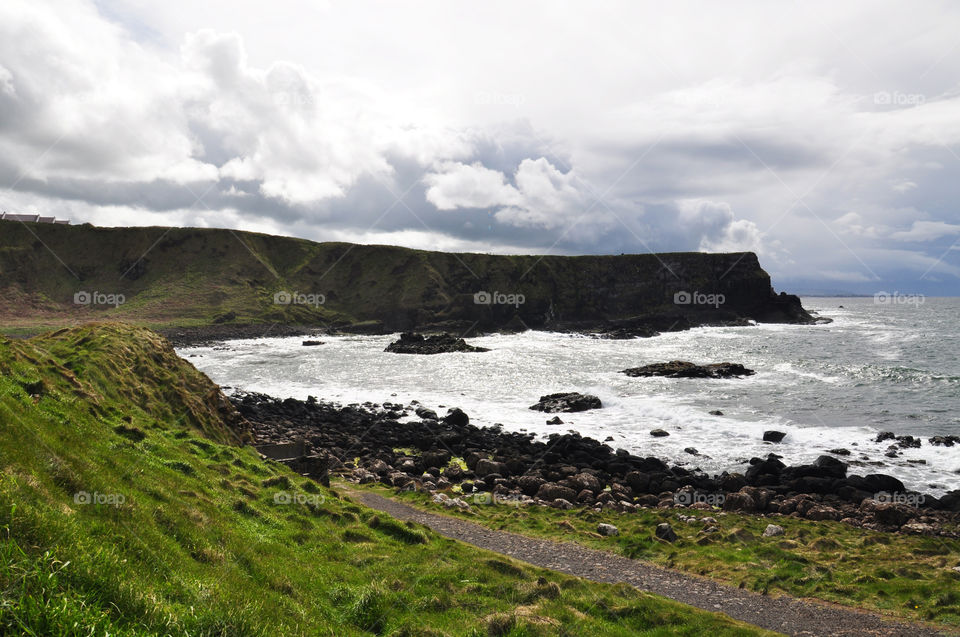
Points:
(877, 367)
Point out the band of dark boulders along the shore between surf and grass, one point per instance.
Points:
(411, 447)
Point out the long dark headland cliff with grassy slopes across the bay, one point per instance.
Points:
(184, 275)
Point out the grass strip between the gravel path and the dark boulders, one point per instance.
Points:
(907, 576)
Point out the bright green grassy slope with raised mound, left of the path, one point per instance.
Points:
(200, 545)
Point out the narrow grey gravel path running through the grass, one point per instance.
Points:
(781, 614)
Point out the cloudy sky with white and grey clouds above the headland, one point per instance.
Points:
(823, 136)
